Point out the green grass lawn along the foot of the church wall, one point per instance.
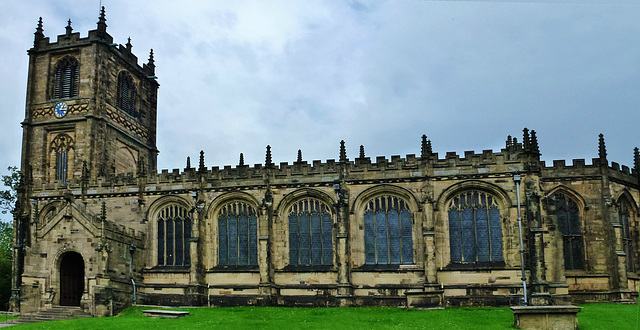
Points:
(592, 316)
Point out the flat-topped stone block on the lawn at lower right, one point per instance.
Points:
(545, 317)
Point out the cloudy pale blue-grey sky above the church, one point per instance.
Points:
(238, 75)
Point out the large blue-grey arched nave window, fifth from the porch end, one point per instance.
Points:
(475, 231)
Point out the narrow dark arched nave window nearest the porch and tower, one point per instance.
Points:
(174, 231)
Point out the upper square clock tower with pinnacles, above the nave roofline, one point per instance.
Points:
(89, 105)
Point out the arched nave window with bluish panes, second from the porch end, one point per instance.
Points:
(238, 235)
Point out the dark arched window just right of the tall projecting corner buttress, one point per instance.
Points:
(568, 215)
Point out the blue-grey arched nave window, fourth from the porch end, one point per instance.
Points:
(388, 236)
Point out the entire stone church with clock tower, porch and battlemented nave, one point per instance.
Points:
(98, 226)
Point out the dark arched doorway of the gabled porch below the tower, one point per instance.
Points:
(71, 279)
